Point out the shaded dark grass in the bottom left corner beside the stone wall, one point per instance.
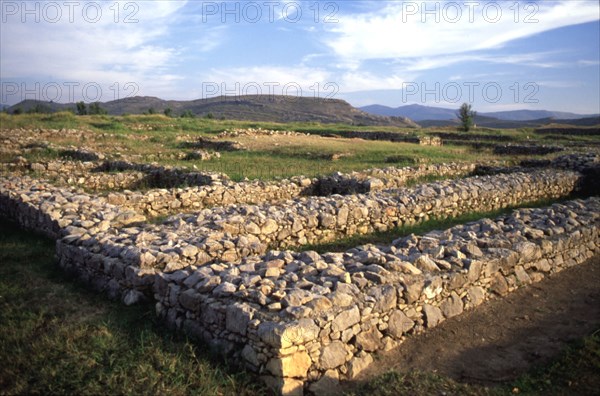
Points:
(57, 337)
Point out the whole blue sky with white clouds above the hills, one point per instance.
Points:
(496, 55)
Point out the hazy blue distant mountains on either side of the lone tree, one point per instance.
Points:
(430, 113)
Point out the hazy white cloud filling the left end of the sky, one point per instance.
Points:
(118, 44)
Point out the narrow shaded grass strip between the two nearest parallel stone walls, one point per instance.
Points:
(386, 237)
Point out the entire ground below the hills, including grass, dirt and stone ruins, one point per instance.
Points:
(60, 335)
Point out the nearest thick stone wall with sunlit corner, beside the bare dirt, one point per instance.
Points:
(305, 321)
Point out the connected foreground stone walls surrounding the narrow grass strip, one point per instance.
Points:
(306, 320)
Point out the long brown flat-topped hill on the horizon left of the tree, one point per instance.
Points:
(271, 108)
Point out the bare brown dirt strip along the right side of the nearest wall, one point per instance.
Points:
(504, 337)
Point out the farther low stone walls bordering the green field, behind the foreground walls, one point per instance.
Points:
(213, 189)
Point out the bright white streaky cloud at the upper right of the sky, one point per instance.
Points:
(397, 31)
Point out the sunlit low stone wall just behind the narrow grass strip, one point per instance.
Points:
(229, 234)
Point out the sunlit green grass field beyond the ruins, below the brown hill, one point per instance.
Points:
(268, 157)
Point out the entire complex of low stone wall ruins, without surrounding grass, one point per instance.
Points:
(223, 260)
